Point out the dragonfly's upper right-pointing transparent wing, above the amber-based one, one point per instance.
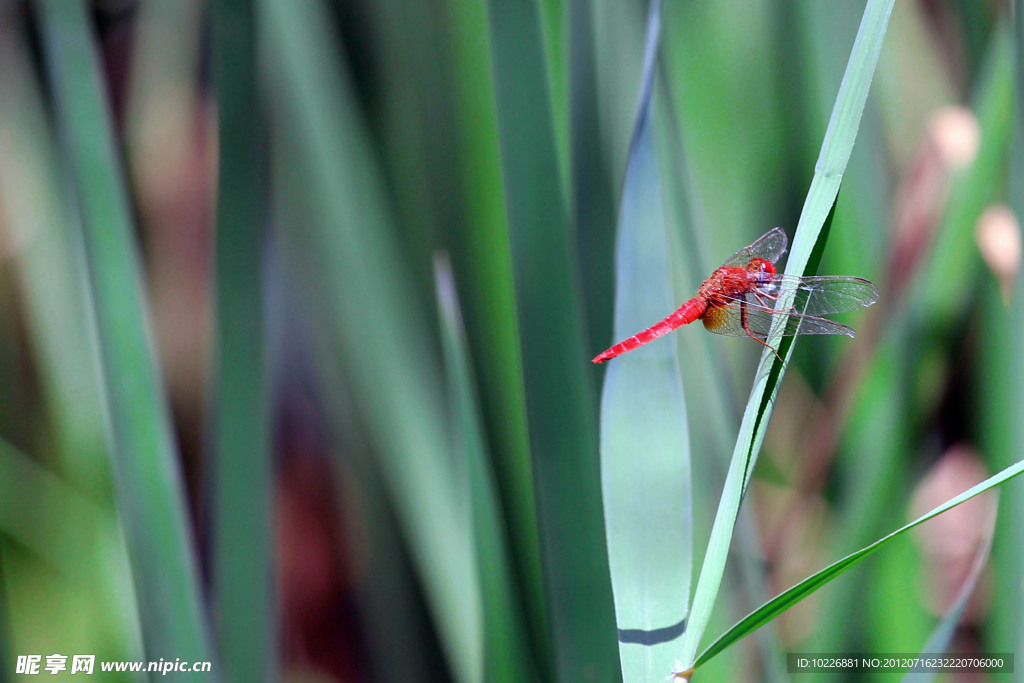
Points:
(823, 295)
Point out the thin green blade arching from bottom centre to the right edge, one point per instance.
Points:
(785, 601)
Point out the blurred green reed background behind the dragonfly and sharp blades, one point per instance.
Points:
(298, 301)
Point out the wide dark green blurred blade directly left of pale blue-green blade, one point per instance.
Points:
(560, 394)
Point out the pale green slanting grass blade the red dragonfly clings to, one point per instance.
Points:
(836, 150)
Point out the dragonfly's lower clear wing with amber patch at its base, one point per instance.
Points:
(744, 317)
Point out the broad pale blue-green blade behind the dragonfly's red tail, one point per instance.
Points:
(646, 460)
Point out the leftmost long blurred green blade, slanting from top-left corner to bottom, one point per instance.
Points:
(149, 483)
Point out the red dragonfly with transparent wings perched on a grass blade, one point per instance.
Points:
(739, 301)
